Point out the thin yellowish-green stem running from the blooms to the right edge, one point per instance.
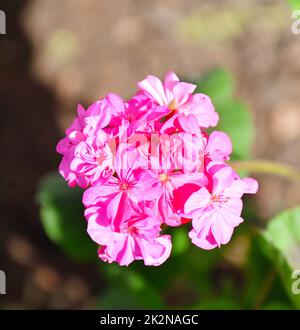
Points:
(267, 167)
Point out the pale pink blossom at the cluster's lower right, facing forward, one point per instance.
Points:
(216, 211)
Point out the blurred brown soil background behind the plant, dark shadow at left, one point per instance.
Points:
(60, 53)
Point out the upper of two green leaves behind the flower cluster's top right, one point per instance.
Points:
(218, 84)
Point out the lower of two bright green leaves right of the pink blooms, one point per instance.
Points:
(236, 121)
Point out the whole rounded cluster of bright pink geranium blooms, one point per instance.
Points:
(149, 163)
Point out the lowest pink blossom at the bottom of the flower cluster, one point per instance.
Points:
(135, 237)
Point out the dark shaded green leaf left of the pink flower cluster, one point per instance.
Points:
(61, 213)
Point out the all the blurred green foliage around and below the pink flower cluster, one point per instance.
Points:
(252, 272)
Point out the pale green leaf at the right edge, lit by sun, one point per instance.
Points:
(280, 242)
